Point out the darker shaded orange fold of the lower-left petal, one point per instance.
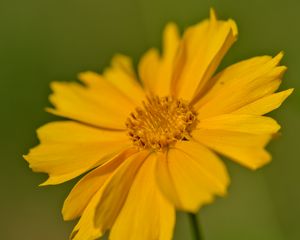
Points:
(115, 191)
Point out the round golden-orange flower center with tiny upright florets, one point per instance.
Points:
(161, 122)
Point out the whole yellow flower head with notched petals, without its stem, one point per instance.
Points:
(150, 148)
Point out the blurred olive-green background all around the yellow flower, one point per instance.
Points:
(49, 40)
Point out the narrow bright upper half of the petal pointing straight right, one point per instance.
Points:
(240, 123)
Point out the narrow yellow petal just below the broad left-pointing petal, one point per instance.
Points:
(87, 187)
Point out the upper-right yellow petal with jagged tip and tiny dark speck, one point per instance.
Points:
(241, 84)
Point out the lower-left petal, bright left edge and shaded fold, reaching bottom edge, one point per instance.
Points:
(102, 211)
